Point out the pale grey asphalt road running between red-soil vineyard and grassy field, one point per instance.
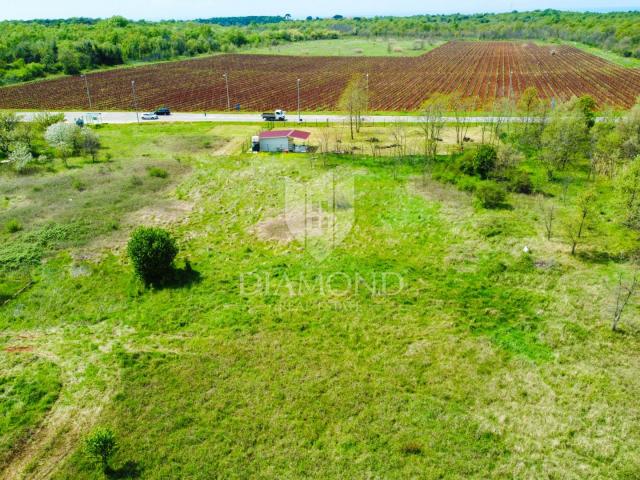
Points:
(130, 117)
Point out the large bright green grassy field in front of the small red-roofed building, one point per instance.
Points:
(426, 344)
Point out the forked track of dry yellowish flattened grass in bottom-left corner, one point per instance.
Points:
(81, 401)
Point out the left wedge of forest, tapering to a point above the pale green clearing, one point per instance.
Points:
(31, 50)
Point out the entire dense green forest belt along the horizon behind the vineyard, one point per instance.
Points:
(35, 49)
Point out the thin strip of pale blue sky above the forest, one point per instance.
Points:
(187, 9)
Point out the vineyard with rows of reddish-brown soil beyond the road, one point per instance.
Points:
(483, 70)
